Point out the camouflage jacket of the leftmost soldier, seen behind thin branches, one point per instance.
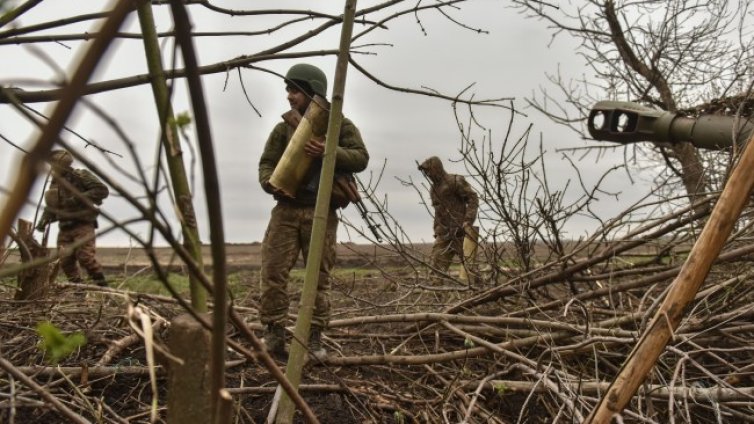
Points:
(68, 209)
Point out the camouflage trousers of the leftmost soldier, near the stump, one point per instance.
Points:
(76, 245)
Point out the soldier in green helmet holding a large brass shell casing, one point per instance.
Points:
(289, 230)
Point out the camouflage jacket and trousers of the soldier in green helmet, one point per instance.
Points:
(289, 229)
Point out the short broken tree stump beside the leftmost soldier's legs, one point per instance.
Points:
(33, 281)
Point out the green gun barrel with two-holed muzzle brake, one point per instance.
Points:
(628, 122)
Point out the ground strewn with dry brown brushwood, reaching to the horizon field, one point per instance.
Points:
(511, 347)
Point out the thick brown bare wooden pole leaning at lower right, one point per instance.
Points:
(693, 273)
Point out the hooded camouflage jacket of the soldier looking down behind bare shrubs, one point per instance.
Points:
(453, 199)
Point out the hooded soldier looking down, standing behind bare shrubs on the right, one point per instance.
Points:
(455, 204)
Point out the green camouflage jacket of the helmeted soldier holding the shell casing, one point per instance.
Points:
(351, 156)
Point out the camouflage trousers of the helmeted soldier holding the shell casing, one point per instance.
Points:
(287, 235)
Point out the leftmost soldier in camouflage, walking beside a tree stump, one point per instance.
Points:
(72, 200)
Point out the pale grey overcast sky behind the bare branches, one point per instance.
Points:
(511, 60)
